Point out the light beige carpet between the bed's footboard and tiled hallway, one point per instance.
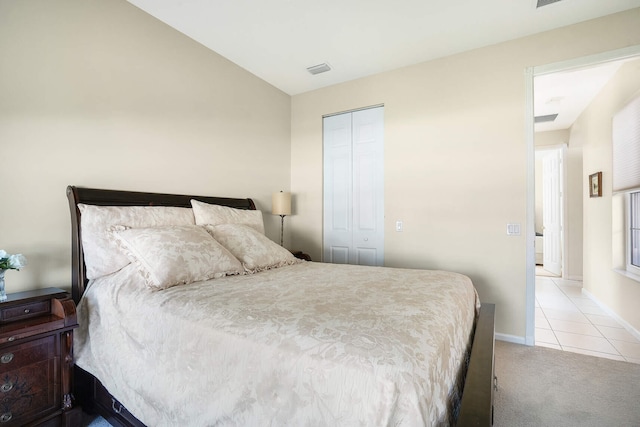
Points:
(539, 386)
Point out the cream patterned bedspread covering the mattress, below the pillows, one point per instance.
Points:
(310, 344)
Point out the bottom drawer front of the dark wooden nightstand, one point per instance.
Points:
(28, 392)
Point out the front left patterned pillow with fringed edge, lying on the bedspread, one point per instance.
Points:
(170, 256)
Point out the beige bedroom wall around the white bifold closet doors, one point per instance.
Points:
(455, 157)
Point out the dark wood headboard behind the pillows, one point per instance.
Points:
(93, 196)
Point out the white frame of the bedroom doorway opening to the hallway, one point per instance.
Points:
(529, 74)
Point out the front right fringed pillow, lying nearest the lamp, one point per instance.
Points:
(255, 250)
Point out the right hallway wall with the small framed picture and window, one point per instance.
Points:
(603, 242)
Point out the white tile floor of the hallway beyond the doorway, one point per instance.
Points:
(570, 321)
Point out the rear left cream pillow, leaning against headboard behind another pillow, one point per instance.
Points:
(101, 255)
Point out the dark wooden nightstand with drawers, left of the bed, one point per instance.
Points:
(36, 359)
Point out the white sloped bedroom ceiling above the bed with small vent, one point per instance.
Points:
(278, 39)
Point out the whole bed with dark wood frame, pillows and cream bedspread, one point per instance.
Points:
(261, 338)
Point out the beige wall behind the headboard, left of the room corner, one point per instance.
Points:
(100, 94)
